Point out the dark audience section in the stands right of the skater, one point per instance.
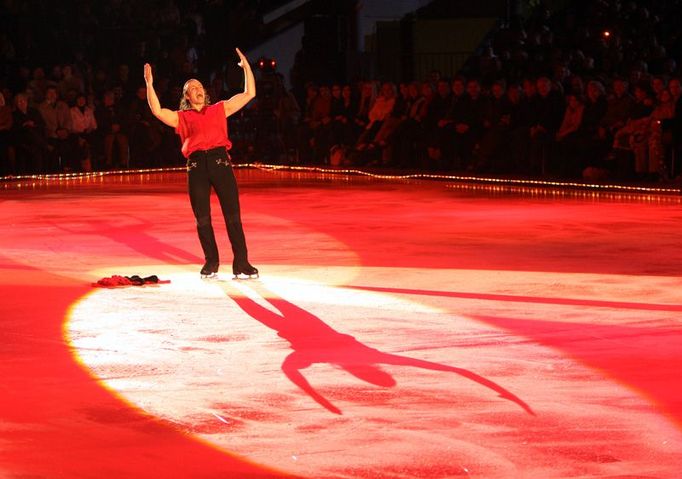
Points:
(592, 92)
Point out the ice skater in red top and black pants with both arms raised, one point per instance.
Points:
(202, 128)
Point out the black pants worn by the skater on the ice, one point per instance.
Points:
(212, 168)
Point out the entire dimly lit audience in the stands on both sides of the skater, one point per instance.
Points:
(591, 92)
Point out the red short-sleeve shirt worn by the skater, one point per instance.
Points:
(203, 130)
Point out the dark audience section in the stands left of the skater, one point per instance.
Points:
(72, 94)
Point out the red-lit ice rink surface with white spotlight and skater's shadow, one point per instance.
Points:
(403, 326)
